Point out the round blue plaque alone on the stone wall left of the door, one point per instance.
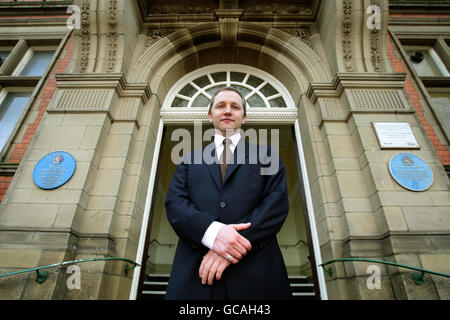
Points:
(54, 170)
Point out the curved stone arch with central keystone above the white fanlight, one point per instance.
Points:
(285, 56)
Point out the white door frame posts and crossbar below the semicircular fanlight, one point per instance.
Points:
(168, 118)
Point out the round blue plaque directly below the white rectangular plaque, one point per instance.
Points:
(411, 172)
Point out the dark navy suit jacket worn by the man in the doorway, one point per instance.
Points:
(196, 198)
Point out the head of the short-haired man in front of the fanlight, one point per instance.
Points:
(227, 112)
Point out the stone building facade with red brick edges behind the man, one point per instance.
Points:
(109, 81)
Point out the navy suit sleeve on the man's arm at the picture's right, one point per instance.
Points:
(268, 218)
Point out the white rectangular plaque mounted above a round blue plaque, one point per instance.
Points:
(395, 135)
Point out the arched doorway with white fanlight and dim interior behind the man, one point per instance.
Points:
(269, 107)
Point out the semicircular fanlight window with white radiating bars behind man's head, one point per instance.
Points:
(258, 91)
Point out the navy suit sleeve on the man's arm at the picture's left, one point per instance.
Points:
(188, 222)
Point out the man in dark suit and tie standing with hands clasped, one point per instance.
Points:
(227, 215)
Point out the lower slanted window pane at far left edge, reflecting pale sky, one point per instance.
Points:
(10, 111)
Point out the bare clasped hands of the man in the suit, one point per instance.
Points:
(229, 247)
